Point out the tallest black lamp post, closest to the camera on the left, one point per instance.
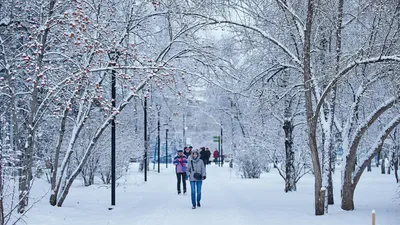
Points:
(113, 101)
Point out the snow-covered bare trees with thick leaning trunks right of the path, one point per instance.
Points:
(339, 59)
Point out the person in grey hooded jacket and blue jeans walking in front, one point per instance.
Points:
(196, 172)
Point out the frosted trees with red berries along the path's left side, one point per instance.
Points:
(57, 61)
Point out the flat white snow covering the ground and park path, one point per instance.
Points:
(227, 199)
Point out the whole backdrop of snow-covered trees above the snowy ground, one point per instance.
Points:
(304, 86)
